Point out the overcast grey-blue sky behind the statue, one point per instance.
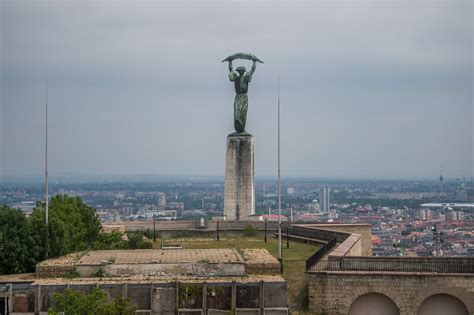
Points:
(378, 89)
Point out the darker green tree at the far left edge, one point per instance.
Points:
(17, 251)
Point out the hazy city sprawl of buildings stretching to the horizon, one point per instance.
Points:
(408, 218)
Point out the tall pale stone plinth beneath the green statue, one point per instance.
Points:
(239, 192)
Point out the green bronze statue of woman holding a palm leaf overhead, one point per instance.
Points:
(241, 83)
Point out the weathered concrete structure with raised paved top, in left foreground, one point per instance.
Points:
(178, 281)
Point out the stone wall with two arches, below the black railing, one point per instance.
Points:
(334, 292)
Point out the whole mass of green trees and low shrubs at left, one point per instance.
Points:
(72, 226)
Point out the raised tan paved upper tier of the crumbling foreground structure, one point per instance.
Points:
(152, 262)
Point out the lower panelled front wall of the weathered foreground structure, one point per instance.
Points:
(253, 295)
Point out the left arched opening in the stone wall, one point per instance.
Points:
(373, 304)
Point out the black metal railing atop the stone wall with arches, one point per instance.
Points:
(396, 264)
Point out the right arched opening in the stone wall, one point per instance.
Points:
(441, 304)
